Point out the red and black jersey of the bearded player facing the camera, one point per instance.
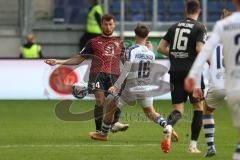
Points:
(106, 53)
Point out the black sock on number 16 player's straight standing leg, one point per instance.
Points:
(196, 125)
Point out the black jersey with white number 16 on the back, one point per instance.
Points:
(182, 38)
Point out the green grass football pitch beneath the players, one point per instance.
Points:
(30, 130)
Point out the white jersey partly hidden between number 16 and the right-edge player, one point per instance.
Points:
(217, 70)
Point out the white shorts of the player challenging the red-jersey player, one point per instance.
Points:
(129, 99)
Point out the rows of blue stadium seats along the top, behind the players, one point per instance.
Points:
(74, 11)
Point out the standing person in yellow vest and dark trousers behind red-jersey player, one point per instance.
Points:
(93, 28)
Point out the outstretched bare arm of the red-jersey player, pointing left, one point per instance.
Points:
(71, 61)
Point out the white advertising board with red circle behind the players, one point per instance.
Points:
(33, 79)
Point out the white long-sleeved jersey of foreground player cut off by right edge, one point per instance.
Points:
(226, 32)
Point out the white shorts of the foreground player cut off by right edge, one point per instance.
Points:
(234, 105)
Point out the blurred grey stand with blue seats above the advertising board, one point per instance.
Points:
(58, 24)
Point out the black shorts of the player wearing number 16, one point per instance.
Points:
(178, 93)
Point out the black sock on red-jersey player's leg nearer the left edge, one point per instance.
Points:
(98, 115)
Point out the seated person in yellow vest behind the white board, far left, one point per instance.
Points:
(31, 50)
